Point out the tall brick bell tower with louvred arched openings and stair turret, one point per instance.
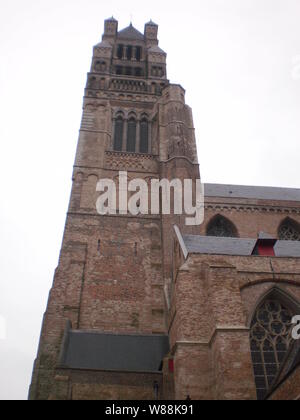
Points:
(104, 333)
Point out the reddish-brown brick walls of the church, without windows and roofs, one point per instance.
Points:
(126, 274)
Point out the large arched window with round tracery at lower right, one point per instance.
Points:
(270, 338)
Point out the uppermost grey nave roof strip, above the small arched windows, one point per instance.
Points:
(251, 192)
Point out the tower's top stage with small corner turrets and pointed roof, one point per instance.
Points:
(128, 54)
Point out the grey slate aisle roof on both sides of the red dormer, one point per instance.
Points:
(196, 244)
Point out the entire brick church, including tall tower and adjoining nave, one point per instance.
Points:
(143, 306)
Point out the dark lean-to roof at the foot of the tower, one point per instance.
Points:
(125, 353)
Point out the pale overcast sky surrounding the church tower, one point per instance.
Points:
(239, 61)
